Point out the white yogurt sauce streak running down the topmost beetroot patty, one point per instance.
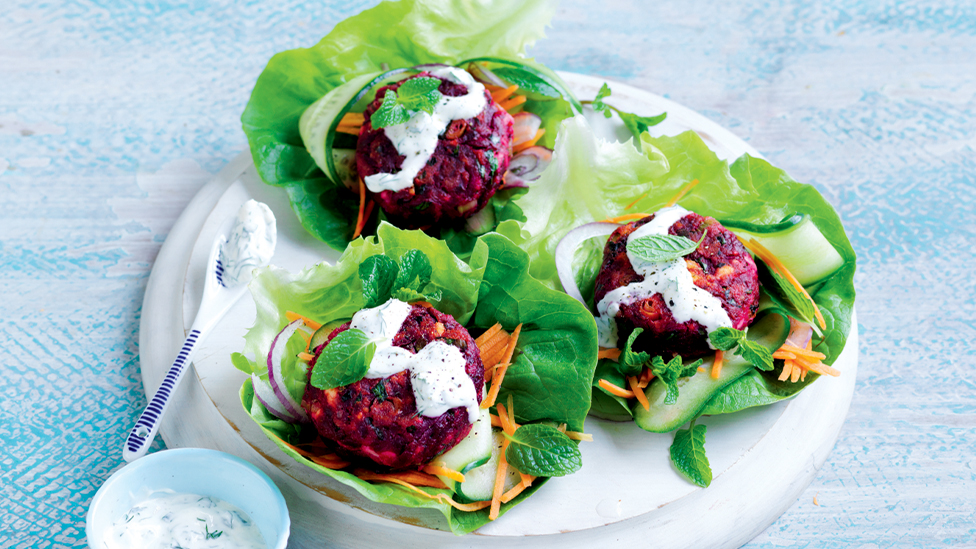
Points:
(416, 138)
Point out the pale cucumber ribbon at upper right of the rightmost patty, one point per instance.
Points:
(798, 243)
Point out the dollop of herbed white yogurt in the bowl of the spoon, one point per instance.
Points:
(251, 244)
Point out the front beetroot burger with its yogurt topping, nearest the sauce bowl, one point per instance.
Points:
(419, 397)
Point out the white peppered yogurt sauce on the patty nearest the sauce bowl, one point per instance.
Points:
(437, 373)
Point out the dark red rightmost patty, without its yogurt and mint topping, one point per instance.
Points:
(721, 265)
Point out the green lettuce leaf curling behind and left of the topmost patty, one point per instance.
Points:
(395, 35)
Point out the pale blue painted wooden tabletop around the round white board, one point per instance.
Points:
(112, 115)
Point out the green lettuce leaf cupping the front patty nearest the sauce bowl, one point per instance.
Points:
(549, 380)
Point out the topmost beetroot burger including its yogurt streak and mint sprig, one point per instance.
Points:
(440, 162)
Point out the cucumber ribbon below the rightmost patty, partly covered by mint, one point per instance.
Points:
(696, 391)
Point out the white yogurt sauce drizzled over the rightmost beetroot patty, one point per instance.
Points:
(671, 279)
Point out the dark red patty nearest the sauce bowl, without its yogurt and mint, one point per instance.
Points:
(377, 418)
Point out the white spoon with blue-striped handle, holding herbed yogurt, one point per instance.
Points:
(229, 268)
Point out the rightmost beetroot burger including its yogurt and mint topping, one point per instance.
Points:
(676, 302)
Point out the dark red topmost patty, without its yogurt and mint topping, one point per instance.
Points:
(461, 175)
